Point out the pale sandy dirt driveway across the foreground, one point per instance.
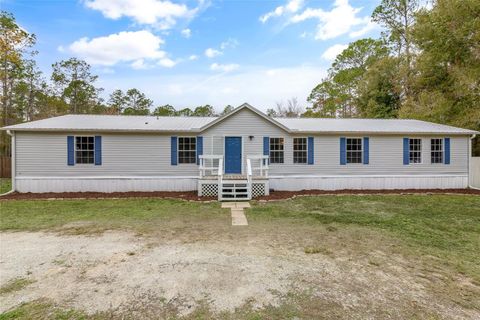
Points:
(117, 270)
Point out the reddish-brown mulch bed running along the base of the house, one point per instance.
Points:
(193, 196)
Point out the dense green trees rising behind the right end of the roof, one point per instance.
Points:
(425, 65)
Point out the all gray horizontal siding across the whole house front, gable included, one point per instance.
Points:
(45, 154)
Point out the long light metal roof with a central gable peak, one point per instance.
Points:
(113, 123)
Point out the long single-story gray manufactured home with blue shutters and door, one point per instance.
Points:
(239, 155)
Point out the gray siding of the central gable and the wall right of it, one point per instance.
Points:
(386, 152)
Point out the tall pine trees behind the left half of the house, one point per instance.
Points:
(27, 94)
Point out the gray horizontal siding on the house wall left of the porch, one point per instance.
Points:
(45, 154)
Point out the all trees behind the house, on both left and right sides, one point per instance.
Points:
(425, 65)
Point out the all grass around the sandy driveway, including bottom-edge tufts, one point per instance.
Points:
(437, 233)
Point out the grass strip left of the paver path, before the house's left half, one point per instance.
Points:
(96, 216)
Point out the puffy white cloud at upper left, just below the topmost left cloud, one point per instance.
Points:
(137, 47)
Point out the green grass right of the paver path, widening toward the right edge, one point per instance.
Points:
(444, 226)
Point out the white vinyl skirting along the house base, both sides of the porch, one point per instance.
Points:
(284, 183)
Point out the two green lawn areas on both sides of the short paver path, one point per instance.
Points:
(446, 226)
